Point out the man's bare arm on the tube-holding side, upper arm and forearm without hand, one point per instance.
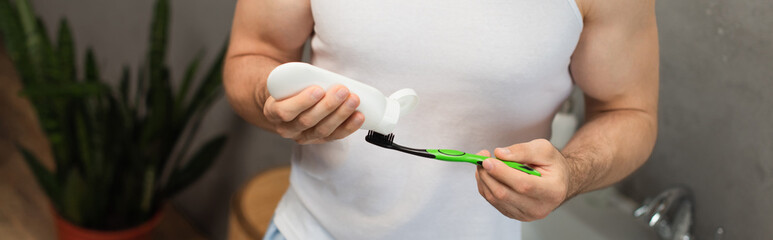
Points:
(264, 34)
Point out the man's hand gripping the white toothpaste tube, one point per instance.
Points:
(315, 116)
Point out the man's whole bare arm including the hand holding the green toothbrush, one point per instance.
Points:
(616, 65)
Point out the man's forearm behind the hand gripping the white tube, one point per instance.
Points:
(245, 81)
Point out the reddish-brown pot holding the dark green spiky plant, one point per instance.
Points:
(67, 231)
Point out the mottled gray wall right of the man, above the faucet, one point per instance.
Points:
(716, 112)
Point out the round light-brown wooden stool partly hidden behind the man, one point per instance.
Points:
(253, 206)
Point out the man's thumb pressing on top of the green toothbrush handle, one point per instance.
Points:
(537, 152)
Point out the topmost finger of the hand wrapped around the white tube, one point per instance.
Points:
(287, 109)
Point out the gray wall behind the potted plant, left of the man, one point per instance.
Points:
(118, 32)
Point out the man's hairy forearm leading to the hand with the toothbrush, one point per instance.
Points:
(610, 146)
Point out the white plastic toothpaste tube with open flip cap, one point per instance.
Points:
(381, 113)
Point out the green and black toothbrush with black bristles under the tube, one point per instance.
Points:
(387, 141)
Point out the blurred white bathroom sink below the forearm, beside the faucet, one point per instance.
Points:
(599, 215)
